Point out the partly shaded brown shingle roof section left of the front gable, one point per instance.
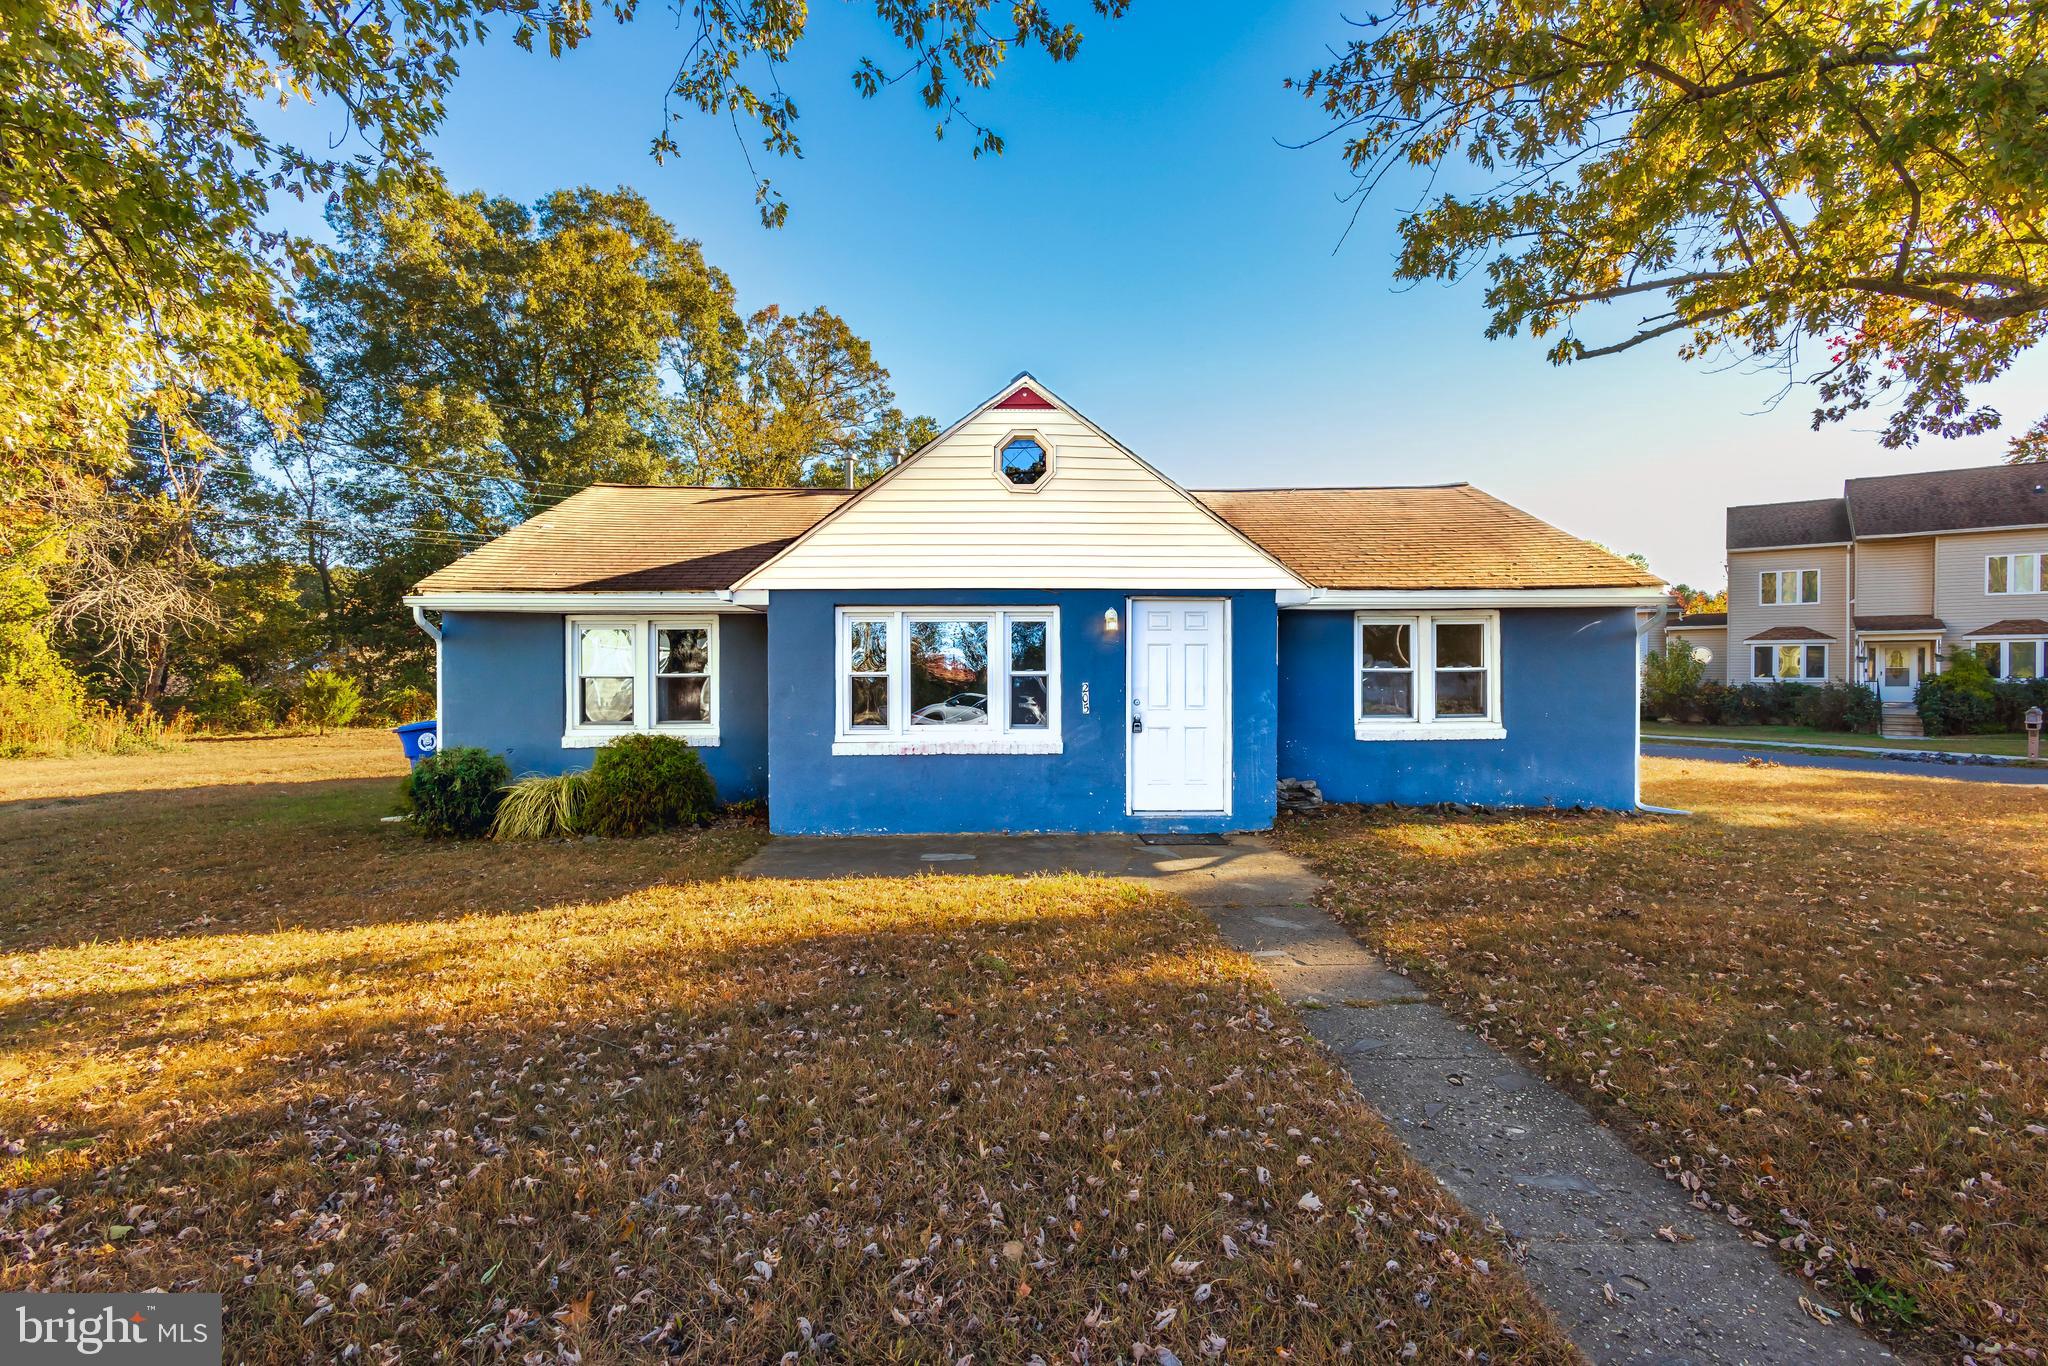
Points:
(640, 540)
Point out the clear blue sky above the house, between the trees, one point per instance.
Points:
(1152, 249)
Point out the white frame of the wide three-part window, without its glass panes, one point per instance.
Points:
(992, 736)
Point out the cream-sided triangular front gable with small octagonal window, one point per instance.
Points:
(1097, 517)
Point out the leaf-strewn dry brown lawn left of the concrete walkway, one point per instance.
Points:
(601, 1101)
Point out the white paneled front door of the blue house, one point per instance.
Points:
(1181, 706)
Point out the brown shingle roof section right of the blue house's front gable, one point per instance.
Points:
(1416, 538)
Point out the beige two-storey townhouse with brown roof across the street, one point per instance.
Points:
(1889, 581)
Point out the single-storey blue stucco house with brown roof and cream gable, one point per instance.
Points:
(1025, 628)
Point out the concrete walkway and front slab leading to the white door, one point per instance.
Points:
(1506, 1144)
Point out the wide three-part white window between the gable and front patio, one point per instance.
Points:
(947, 681)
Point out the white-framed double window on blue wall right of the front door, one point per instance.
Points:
(1428, 677)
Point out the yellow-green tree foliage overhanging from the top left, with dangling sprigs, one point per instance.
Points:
(138, 261)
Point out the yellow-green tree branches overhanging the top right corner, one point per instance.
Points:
(1852, 194)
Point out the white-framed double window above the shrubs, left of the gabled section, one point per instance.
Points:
(634, 675)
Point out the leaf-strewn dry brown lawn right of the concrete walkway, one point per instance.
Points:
(1822, 1000)
